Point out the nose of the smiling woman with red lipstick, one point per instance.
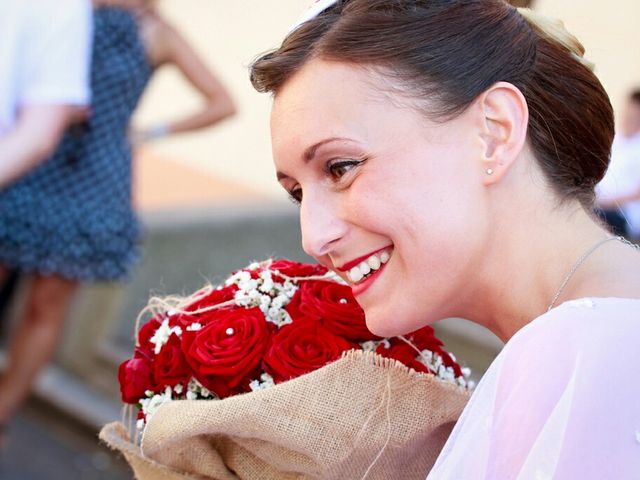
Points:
(320, 224)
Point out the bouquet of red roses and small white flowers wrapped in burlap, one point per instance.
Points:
(274, 374)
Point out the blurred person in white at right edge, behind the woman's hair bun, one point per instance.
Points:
(619, 190)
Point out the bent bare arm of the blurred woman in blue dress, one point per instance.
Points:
(166, 46)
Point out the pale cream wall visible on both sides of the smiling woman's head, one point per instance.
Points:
(229, 34)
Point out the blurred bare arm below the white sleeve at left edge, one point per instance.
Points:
(33, 138)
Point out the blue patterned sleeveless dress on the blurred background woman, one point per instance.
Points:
(72, 216)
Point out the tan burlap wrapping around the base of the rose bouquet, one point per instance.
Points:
(363, 416)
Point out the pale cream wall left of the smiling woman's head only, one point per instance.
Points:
(228, 35)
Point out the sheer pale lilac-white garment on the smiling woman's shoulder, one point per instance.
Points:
(561, 401)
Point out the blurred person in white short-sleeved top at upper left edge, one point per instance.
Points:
(45, 50)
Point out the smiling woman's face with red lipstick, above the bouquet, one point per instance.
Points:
(392, 202)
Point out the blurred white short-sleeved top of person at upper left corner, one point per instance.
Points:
(45, 48)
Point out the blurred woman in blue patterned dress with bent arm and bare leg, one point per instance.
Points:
(70, 220)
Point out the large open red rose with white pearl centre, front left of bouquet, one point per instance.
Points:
(226, 353)
